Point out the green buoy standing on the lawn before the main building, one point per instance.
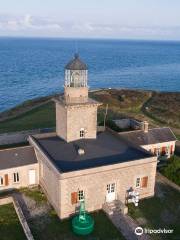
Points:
(83, 223)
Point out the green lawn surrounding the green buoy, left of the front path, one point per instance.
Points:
(51, 227)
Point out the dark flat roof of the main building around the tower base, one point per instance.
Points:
(107, 149)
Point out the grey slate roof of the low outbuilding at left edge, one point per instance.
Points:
(17, 157)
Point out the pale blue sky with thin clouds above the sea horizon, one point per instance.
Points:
(119, 19)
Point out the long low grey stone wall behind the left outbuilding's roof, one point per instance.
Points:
(19, 137)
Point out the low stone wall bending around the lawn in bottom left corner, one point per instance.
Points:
(22, 219)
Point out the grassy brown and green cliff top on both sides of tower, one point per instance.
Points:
(160, 109)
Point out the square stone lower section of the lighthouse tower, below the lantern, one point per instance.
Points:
(71, 119)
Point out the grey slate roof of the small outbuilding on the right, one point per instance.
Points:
(153, 136)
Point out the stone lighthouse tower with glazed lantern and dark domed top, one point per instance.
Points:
(76, 113)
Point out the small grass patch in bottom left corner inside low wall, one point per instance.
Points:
(10, 227)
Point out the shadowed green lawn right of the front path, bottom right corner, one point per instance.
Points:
(160, 212)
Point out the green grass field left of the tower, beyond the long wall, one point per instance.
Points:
(40, 117)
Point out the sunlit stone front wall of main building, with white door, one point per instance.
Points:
(94, 184)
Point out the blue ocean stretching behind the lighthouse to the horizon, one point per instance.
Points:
(31, 68)
